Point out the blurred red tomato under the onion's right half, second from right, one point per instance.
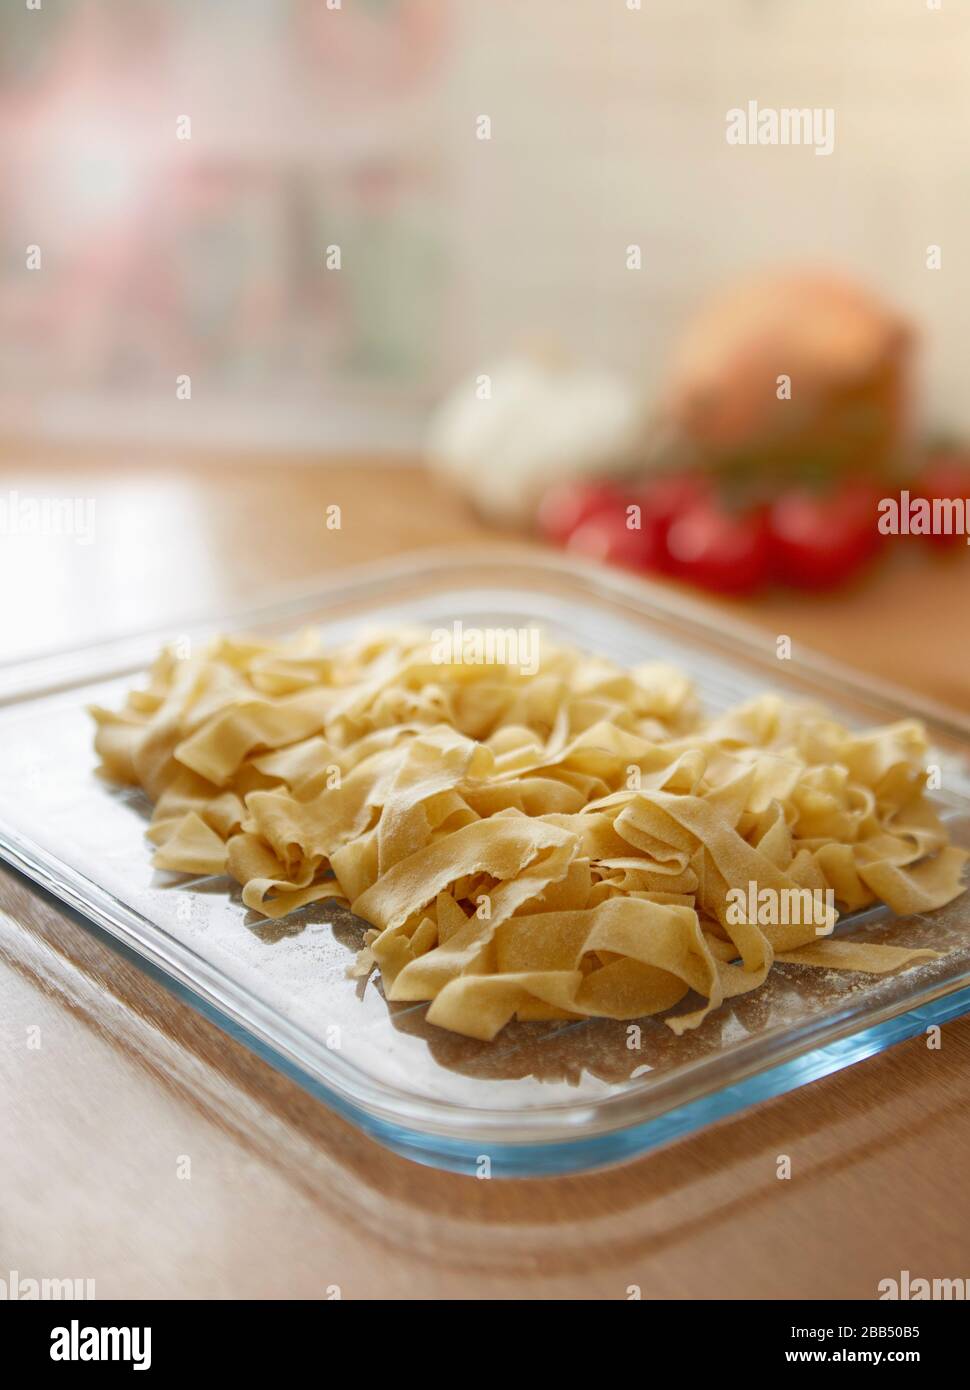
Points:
(821, 540)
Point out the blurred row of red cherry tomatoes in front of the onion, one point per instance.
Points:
(680, 526)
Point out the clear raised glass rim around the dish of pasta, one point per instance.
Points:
(380, 1103)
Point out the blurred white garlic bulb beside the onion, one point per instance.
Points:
(507, 436)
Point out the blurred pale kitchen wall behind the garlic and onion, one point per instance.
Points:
(356, 127)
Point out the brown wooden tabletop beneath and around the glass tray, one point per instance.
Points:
(287, 1200)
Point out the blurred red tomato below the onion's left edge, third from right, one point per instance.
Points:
(719, 550)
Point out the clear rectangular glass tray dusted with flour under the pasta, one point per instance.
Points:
(543, 1099)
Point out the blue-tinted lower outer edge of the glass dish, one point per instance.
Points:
(569, 1156)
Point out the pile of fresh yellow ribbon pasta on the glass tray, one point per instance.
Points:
(557, 843)
